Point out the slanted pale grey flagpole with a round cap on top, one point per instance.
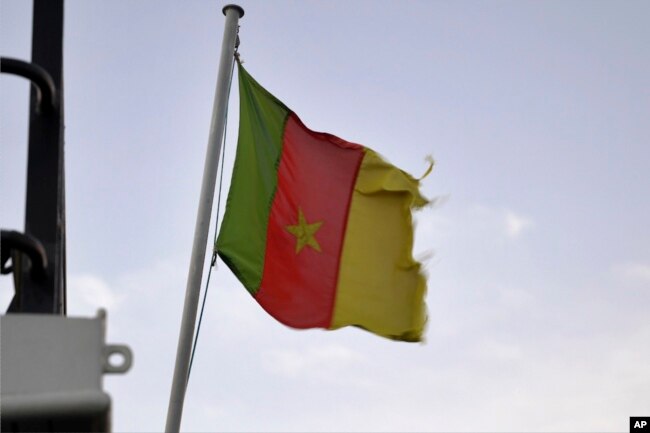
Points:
(192, 291)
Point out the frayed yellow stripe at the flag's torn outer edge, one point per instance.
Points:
(381, 287)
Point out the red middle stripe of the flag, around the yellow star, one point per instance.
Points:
(316, 174)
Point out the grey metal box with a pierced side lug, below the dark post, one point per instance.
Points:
(52, 368)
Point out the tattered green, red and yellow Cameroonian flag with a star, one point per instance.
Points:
(319, 229)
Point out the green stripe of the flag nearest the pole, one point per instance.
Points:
(242, 237)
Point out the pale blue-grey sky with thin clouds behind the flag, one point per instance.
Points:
(538, 257)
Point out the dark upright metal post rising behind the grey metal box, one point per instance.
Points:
(45, 201)
